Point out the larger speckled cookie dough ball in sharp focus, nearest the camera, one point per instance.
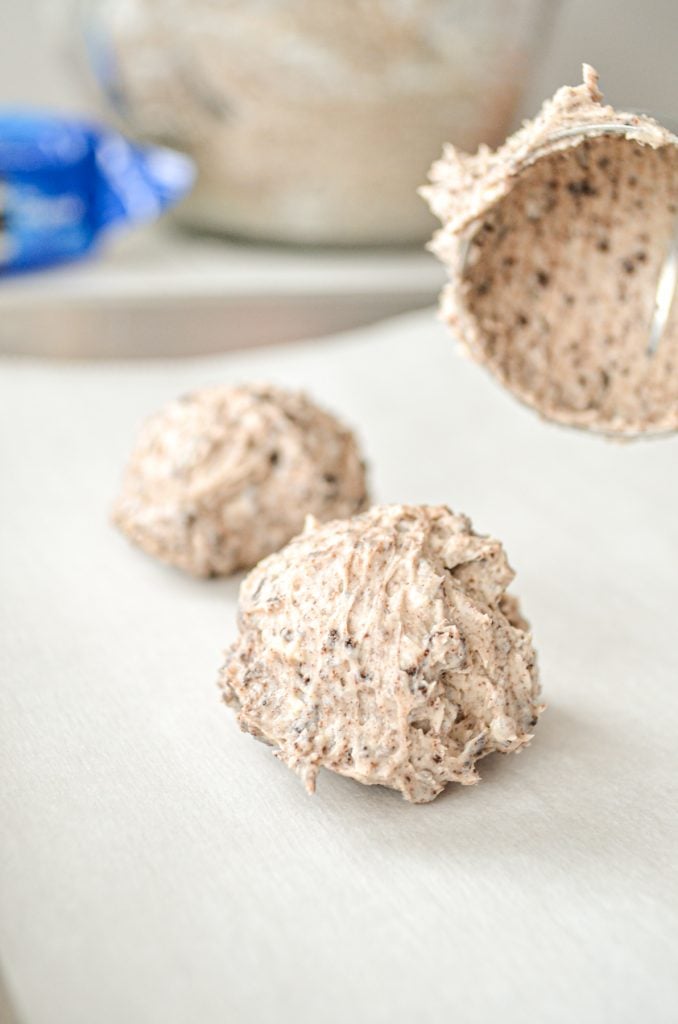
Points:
(386, 649)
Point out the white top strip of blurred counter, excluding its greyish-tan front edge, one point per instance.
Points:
(157, 262)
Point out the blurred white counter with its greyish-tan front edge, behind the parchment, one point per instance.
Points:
(157, 291)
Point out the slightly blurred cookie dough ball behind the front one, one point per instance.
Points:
(222, 478)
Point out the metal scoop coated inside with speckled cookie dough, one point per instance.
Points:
(562, 252)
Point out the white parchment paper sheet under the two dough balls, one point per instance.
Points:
(158, 866)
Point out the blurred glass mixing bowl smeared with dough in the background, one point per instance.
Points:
(313, 121)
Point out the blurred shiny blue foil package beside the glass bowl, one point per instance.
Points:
(66, 183)
